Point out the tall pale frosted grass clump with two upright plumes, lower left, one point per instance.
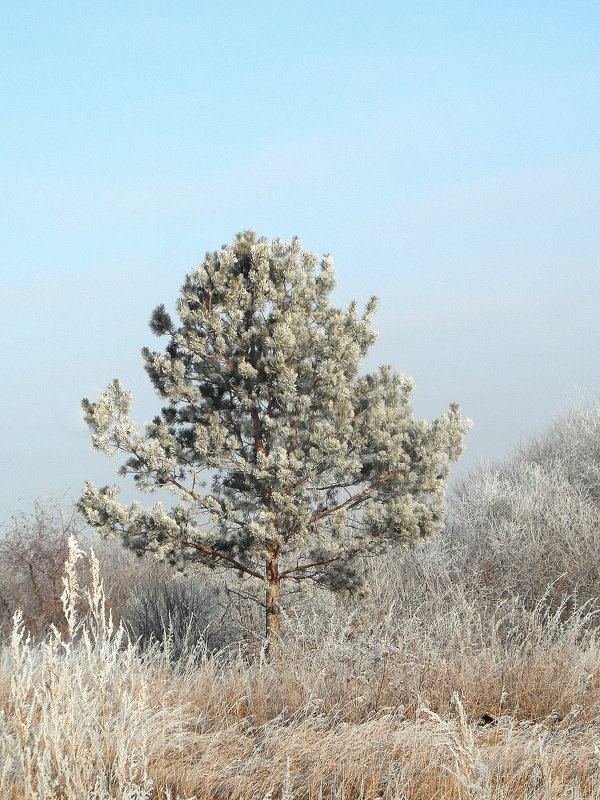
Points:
(84, 715)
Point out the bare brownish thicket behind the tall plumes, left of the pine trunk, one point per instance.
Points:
(190, 612)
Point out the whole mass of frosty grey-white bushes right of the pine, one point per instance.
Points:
(528, 529)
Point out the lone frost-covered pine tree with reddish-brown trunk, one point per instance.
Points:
(286, 463)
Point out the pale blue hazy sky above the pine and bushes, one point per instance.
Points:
(447, 155)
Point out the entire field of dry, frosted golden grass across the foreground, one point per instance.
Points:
(384, 705)
